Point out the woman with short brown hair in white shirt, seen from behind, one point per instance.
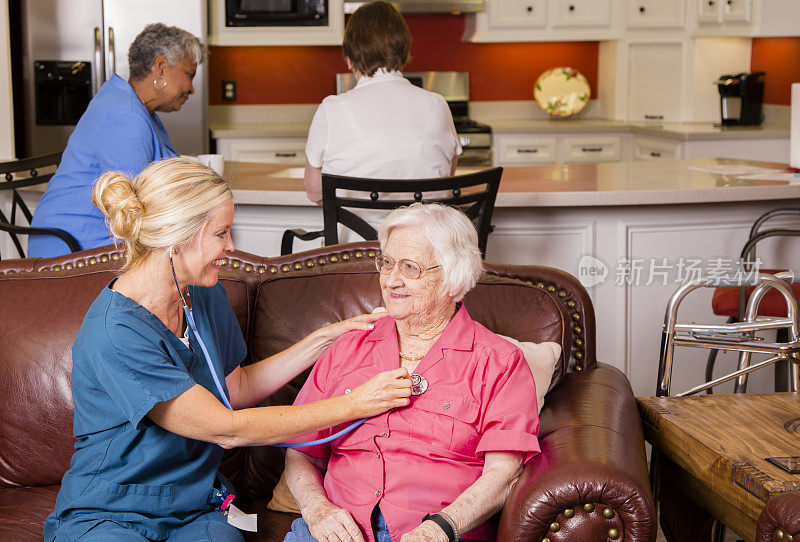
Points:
(384, 128)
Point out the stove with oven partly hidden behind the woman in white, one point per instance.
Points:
(475, 137)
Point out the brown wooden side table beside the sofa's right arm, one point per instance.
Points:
(719, 444)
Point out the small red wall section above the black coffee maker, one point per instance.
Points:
(780, 59)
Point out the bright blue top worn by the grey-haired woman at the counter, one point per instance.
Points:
(115, 133)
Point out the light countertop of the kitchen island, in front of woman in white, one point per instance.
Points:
(660, 182)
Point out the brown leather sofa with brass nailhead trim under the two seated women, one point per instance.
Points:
(589, 483)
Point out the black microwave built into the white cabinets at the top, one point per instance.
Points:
(276, 12)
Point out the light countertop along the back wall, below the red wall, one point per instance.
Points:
(688, 131)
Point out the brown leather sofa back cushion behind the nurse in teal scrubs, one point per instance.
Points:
(40, 322)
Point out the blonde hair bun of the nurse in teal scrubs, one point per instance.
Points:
(116, 197)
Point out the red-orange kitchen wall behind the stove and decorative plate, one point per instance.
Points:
(498, 71)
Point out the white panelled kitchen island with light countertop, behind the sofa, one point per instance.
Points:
(636, 229)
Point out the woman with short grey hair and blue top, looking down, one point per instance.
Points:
(119, 131)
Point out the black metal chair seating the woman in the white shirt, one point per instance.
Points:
(474, 193)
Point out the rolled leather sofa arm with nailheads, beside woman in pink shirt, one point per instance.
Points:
(590, 482)
